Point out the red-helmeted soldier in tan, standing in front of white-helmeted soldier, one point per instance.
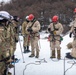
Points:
(34, 27)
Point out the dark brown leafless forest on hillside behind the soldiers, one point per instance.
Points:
(42, 9)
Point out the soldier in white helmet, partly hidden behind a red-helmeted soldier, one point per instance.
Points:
(26, 36)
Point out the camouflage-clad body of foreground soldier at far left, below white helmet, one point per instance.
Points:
(5, 44)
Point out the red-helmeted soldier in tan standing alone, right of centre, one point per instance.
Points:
(55, 29)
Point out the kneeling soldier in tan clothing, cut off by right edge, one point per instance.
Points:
(72, 54)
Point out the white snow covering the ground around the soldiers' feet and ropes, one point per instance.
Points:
(43, 65)
